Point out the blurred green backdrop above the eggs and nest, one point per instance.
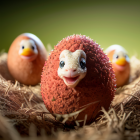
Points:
(107, 22)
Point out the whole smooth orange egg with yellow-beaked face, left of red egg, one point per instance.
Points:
(26, 58)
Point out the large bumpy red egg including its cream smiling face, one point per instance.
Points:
(76, 74)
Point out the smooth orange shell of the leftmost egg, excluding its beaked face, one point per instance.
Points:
(24, 71)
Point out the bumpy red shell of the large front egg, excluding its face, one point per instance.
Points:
(98, 84)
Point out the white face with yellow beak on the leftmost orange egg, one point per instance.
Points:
(28, 50)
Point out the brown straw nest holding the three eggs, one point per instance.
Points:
(24, 116)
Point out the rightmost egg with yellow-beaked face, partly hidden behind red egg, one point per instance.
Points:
(120, 63)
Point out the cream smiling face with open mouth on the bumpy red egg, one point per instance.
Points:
(72, 67)
